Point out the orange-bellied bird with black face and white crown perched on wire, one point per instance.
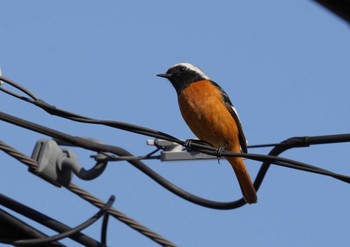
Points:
(209, 113)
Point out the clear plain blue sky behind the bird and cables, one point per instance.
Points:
(283, 63)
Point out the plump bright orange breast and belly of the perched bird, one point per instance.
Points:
(204, 111)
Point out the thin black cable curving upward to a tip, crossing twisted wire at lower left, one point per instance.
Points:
(74, 230)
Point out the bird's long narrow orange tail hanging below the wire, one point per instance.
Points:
(244, 180)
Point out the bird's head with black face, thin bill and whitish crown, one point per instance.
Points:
(182, 75)
